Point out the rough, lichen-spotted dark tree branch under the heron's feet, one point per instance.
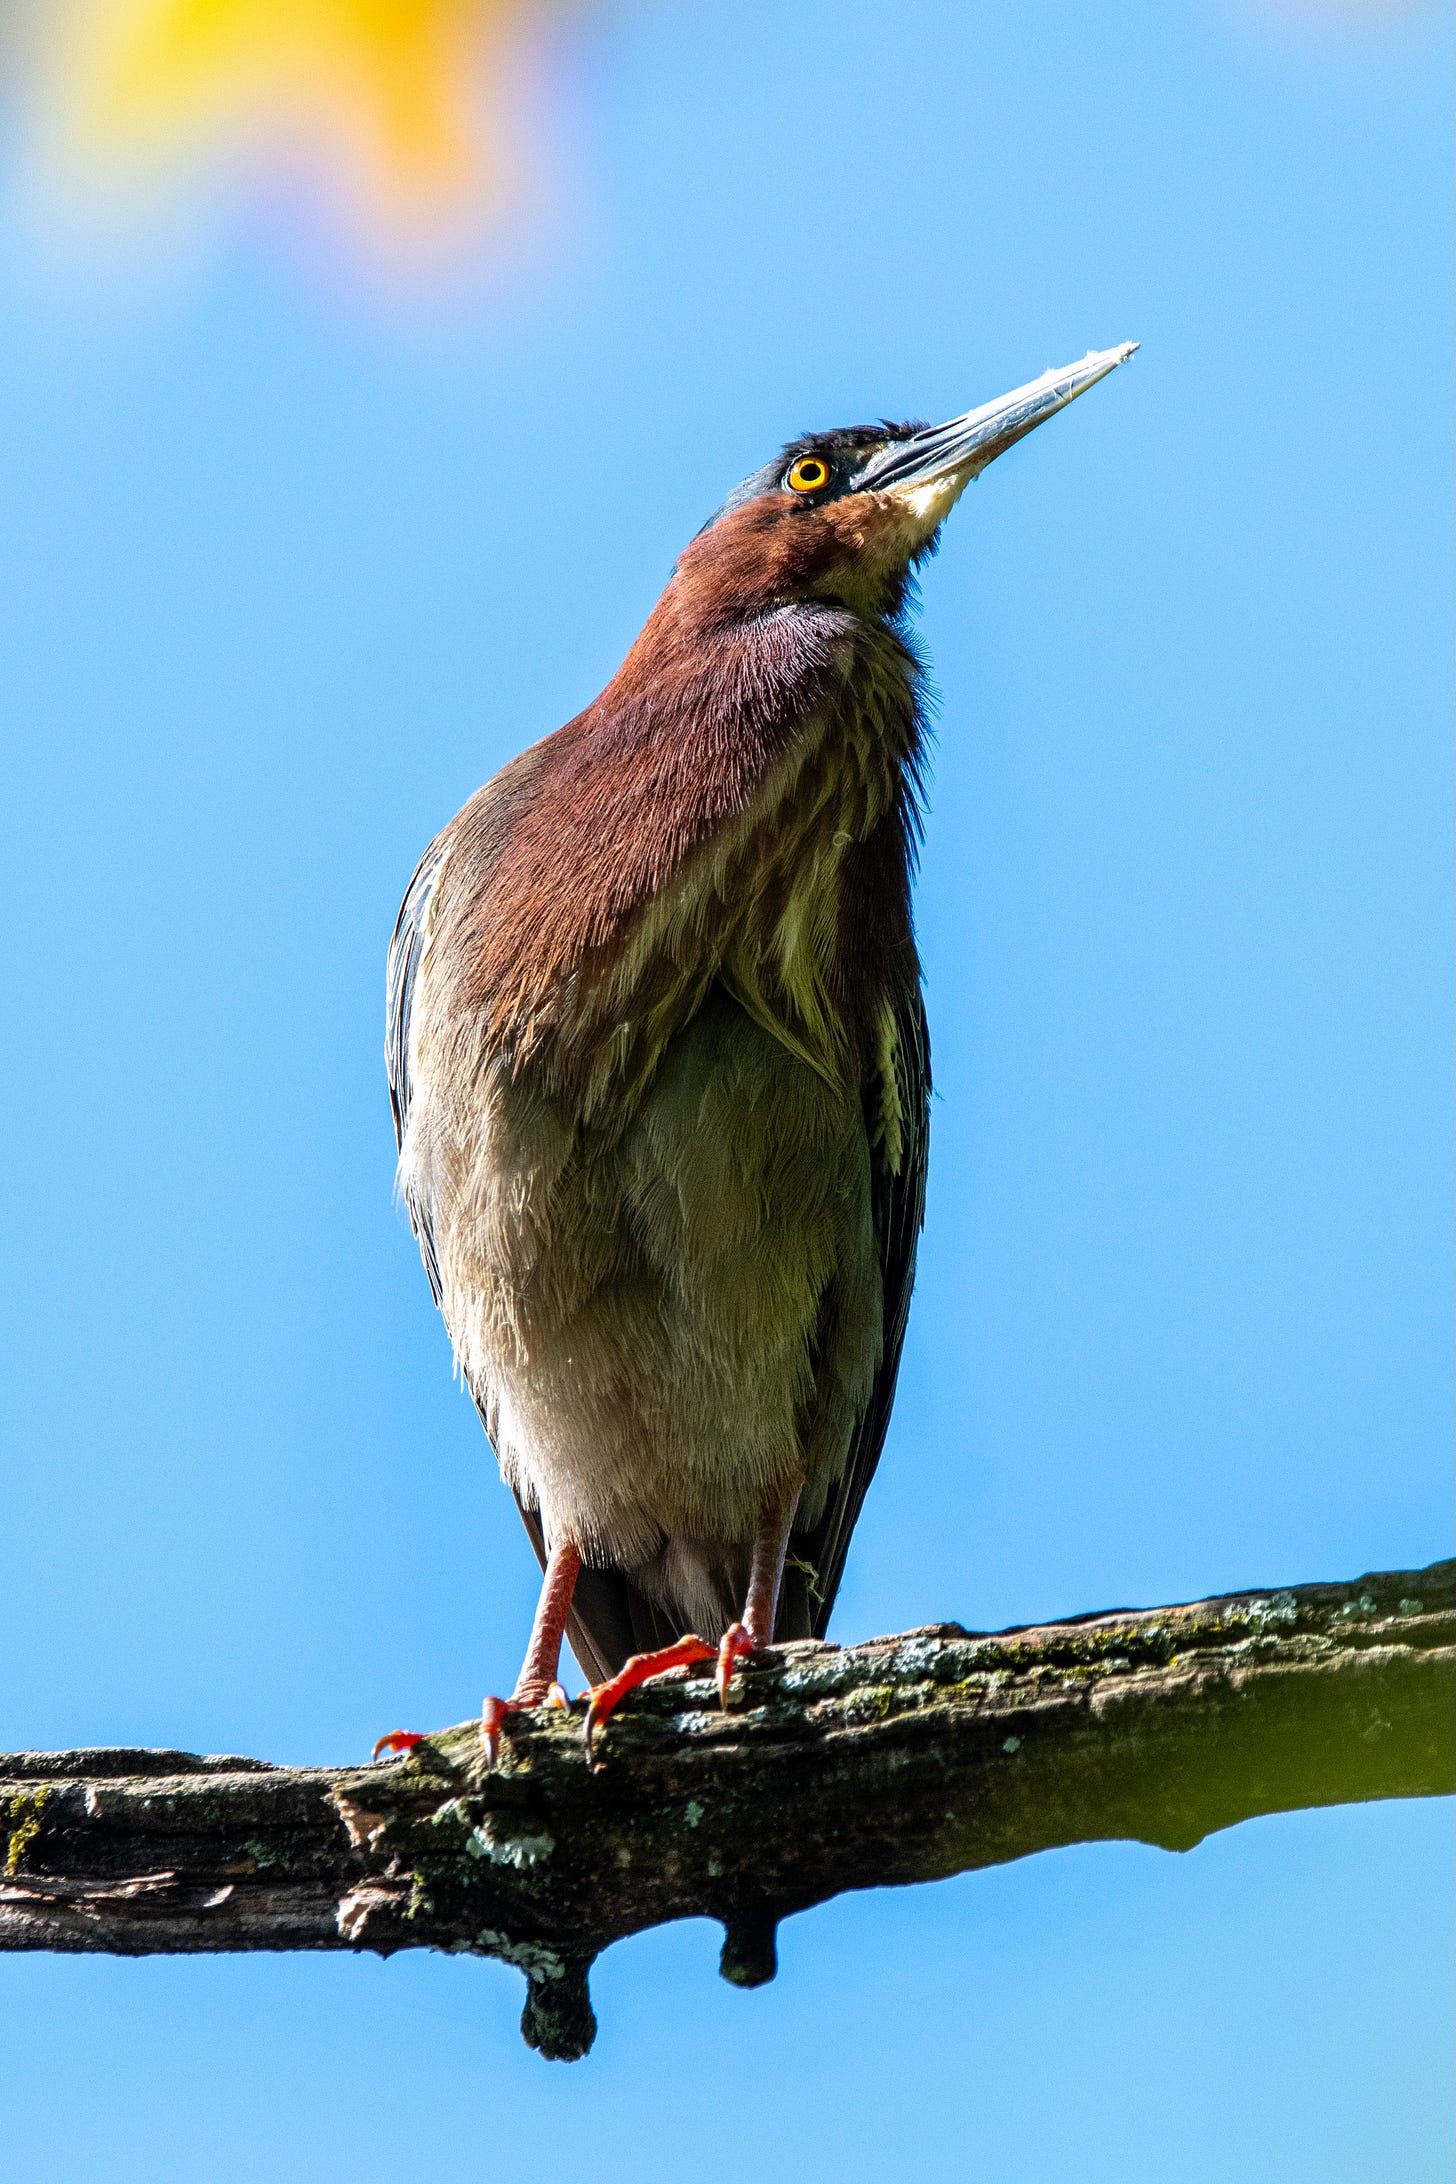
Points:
(905, 1759)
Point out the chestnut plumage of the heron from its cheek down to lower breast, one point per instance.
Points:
(739, 805)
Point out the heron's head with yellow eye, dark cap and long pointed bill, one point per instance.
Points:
(848, 514)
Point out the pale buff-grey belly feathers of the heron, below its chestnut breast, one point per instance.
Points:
(671, 1327)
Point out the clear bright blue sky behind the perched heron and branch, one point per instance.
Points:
(289, 569)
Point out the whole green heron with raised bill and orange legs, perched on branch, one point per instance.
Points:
(660, 1071)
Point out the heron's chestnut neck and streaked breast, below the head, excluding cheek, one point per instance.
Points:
(737, 807)
